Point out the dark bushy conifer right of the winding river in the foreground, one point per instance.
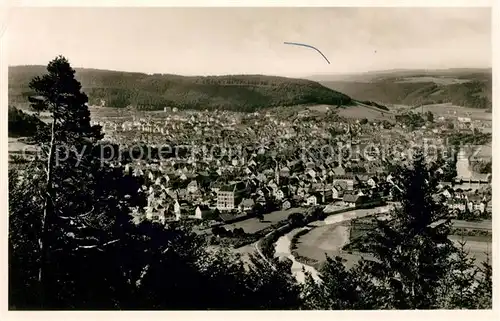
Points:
(411, 249)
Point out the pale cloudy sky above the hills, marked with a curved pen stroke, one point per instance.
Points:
(202, 41)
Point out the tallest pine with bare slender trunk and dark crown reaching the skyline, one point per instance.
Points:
(59, 93)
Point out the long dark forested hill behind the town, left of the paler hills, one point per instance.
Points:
(152, 92)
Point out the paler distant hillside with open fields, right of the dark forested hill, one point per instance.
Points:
(463, 87)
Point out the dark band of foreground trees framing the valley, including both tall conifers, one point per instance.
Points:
(73, 243)
